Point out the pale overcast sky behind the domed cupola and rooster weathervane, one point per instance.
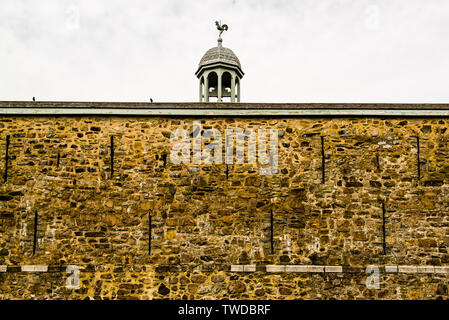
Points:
(290, 51)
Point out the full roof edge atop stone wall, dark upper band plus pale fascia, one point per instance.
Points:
(72, 108)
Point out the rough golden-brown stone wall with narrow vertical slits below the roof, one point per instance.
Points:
(60, 205)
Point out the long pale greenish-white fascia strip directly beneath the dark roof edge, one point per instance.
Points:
(224, 112)
